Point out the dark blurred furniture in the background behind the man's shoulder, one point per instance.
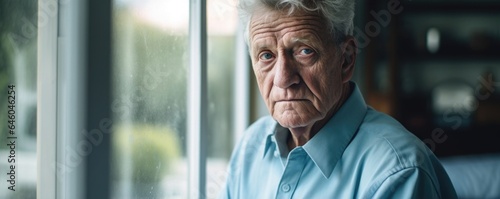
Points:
(436, 68)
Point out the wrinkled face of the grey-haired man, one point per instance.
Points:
(297, 65)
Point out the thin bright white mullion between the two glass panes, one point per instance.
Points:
(197, 96)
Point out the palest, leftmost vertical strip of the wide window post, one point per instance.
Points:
(47, 101)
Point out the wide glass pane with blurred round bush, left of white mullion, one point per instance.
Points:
(150, 63)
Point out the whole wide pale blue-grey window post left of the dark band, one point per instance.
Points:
(61, 111)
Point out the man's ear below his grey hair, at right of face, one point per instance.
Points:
(349, 52)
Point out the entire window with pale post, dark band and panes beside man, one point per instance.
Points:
(117, 72)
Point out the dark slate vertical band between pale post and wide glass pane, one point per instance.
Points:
(98, 99)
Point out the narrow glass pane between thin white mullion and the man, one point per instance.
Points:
(221, 24)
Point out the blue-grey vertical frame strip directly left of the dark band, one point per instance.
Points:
(71, 113)
